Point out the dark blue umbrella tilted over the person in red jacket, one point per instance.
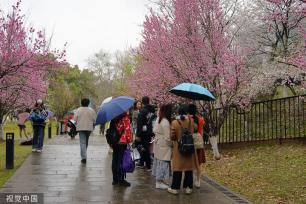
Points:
(114, 108)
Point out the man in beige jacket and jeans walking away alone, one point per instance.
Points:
(85, 118)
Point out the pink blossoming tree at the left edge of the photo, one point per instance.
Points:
(25, 60)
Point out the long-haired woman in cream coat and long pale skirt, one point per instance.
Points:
(162, 147)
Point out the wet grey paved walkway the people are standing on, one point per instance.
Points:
(58, 173)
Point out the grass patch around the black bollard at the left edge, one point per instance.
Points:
(20, 154)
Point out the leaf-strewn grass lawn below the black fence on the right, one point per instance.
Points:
(264, 173)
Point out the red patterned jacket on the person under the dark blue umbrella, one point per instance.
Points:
(125, 130)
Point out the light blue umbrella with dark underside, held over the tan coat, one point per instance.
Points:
(192, 91)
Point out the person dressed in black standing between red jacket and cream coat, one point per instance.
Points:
(144, 131)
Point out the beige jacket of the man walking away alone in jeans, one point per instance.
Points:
(85, 118)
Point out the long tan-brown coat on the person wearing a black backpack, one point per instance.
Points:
(181, 162)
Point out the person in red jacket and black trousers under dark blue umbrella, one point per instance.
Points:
(123, 125)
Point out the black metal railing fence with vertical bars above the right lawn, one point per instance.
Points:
(275, 119)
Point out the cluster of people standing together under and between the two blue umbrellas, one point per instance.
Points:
(157, 134)
